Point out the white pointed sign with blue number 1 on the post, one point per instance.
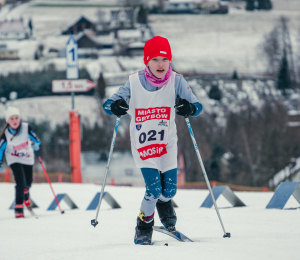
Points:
(72, 58)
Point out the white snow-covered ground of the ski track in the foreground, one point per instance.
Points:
(257, 233)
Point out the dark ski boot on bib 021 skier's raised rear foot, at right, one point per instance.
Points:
(167, 214)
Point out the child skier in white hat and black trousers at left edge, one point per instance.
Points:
(15, 141)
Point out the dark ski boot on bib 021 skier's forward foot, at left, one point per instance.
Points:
(143, 230)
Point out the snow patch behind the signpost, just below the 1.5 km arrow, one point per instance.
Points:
(56, 109)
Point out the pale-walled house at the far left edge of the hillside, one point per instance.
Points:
(13, 30)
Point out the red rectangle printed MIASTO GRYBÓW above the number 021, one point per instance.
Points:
(142, 114)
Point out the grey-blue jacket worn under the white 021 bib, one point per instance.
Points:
(182, 90)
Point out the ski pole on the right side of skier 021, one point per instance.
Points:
(204, 173)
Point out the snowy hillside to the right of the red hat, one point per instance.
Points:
(223, 43)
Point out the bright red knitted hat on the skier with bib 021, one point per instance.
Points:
(157, 46)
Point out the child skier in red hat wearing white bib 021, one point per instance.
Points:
(154, 95)
